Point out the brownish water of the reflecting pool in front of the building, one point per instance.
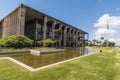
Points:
(46, 59)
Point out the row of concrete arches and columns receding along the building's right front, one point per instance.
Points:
(65, 35)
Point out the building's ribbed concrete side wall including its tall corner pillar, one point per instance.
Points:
(14, 22)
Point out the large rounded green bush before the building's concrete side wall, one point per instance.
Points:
(16, 41)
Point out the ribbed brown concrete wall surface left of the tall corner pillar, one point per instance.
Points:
(10, 25)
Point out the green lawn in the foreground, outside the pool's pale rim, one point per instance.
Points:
(99, 66)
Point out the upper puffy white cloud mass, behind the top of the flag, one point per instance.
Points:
(113, 21)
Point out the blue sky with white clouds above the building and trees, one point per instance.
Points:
(88, 15)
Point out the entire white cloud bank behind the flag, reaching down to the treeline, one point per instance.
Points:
(114, 28)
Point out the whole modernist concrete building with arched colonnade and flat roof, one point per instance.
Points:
(38, 26)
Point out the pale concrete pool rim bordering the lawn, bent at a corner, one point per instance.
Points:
(40, 68)
